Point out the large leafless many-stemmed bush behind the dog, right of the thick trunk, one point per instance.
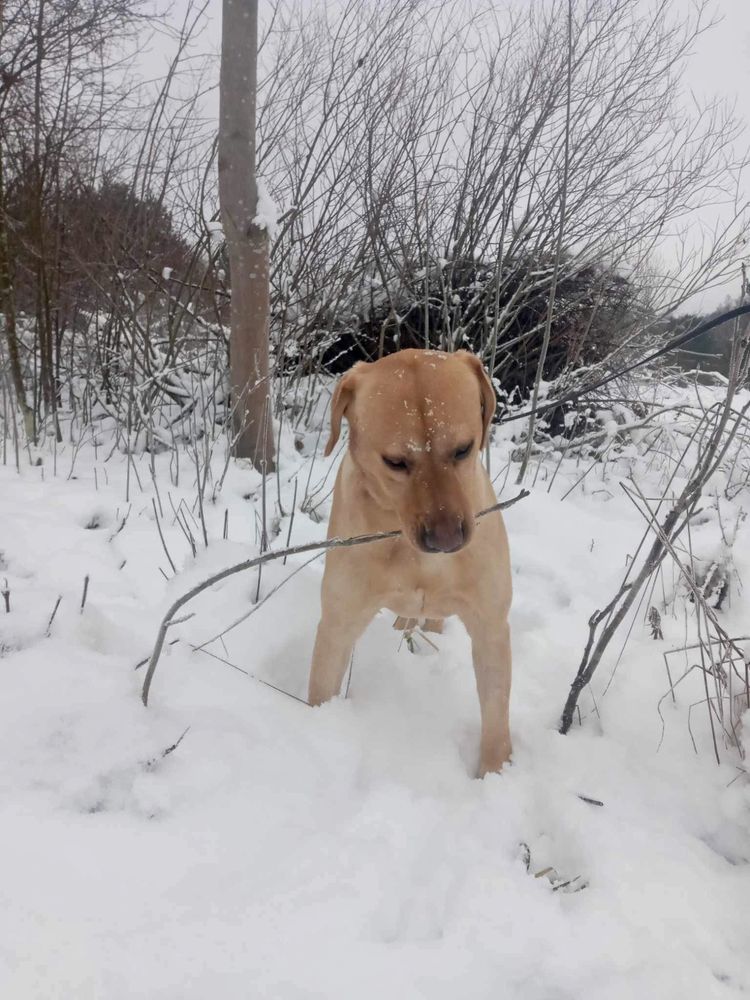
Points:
(426, 202)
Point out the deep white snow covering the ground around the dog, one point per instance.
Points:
(347, 851)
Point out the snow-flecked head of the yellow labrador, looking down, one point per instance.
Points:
(417, 423)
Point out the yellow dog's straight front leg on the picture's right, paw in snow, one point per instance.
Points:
(490, 646)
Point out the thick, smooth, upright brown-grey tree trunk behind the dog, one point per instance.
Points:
(247, 242)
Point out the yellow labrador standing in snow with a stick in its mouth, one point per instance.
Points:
(417, 423)
